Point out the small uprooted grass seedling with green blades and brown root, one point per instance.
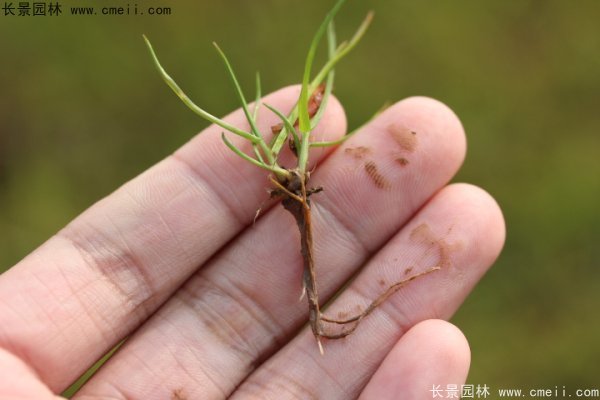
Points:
(291, 184)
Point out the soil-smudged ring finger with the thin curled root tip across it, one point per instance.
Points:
(461, 230)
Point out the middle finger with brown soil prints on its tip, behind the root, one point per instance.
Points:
(244, 305)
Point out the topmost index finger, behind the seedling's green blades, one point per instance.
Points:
(90, 285)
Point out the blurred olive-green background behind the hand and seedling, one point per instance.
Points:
(82, 110)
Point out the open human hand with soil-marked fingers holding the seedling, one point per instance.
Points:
(208, 300)
